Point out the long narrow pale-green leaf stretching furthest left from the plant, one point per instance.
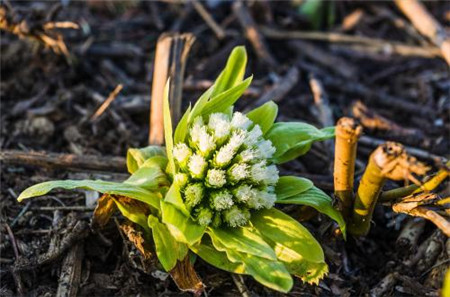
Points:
(126, 190)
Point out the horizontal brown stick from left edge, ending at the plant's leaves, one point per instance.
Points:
(65, 161)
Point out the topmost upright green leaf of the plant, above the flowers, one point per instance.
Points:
(233, 73)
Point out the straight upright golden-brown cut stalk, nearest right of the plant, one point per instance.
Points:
(347, 134)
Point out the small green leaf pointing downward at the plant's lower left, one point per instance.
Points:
(168, 249)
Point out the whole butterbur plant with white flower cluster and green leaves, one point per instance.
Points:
(213, 189)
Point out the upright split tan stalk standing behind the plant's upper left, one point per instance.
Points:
(171, 55)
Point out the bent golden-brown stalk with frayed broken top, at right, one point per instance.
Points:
(388, 161)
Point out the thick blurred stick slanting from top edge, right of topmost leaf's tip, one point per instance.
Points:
(252, 33)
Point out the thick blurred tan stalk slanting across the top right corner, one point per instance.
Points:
(426, 24)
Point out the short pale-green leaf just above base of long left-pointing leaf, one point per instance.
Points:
(149, 178)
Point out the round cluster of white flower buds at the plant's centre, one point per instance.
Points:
(223, 170)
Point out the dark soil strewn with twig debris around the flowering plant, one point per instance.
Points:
(47, 100)
